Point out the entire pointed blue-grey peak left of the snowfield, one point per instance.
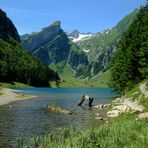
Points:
(51, 45)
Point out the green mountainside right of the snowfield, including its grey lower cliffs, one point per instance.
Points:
(101, 47)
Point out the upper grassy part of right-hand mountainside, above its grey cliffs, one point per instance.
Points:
(103, 41)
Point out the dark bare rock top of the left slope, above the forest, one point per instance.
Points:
(7, 28)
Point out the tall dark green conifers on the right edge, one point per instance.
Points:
(130, 63)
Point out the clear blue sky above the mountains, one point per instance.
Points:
(84, 15)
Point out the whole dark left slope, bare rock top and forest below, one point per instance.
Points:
(15, 63)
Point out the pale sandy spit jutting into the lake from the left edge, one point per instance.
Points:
(9, 95)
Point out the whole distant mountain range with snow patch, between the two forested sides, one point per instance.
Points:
(85, 54)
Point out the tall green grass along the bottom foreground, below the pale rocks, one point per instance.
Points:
(124, 131)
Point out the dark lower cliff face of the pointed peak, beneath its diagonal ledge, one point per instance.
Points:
(54, 51)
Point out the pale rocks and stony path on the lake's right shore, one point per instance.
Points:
(125, 104)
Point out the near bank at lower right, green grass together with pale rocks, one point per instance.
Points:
(126, 126)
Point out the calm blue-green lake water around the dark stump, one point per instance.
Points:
(30, 117)
